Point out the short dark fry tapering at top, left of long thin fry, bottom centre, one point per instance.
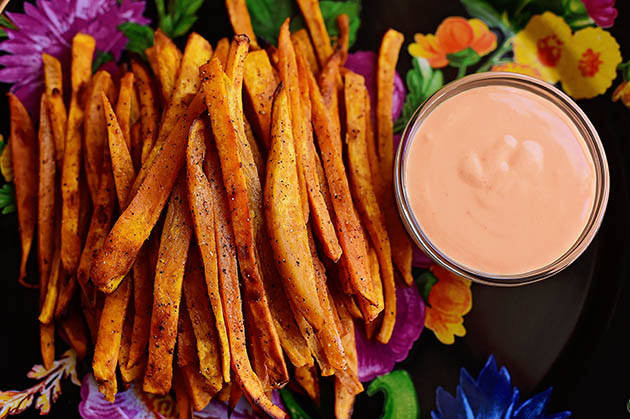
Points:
(201, 316)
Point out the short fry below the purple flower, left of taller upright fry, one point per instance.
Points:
(53, 78)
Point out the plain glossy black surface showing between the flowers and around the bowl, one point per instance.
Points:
(568, 332)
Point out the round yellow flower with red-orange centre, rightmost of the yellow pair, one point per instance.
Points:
(589, 65)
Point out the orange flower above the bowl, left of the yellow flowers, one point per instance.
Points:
(453, 35)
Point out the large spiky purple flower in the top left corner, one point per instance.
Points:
(49, 26)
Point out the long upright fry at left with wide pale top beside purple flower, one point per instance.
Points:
(82, 52)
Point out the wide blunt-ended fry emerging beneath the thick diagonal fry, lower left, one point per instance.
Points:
(169, 274)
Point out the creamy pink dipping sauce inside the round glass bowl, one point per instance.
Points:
(500, 180)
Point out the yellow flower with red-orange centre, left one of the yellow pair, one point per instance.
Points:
(542, 43)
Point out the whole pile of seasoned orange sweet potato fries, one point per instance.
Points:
(204, 218)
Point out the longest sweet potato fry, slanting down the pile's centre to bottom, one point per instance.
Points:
(219, 97)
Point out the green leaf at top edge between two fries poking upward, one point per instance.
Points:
(268, 15)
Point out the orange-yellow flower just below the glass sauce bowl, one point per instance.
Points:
(449, 300)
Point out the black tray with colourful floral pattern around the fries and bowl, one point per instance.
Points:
(467, 350)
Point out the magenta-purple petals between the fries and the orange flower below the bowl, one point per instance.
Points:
(377, 359)
